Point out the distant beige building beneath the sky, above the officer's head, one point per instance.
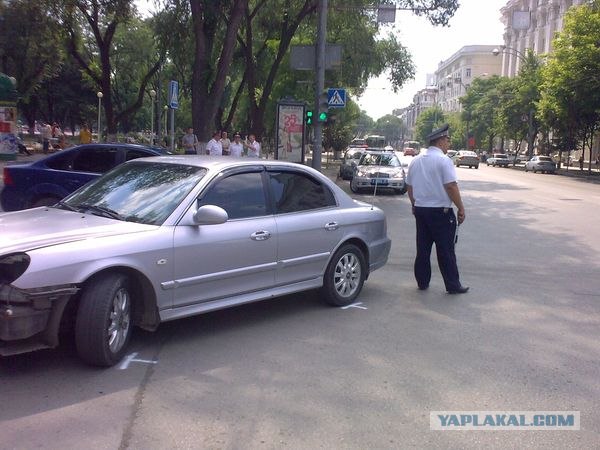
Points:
(455, 75)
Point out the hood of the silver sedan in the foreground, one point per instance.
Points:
(41, 227)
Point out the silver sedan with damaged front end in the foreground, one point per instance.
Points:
(158, 239)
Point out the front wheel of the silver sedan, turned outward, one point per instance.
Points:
(103, 325)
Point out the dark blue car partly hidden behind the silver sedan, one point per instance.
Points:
(50, 179)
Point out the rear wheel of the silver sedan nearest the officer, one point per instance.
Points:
(345, 276)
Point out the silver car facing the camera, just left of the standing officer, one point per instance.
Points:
(379, 170)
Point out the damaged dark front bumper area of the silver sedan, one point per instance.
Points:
(30, 318)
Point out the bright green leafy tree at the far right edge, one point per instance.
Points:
(570, 81)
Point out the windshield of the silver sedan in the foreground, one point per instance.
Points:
(143, 192)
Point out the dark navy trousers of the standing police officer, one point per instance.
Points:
(436, 225)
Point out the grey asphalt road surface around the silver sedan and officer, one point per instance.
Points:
(293, 373)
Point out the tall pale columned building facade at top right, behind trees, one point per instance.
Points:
(530, 24)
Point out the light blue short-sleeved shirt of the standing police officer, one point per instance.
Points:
(428, 172)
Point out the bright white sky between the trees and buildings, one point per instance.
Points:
(476, 22)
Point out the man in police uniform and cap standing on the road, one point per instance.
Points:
(432, 188)
